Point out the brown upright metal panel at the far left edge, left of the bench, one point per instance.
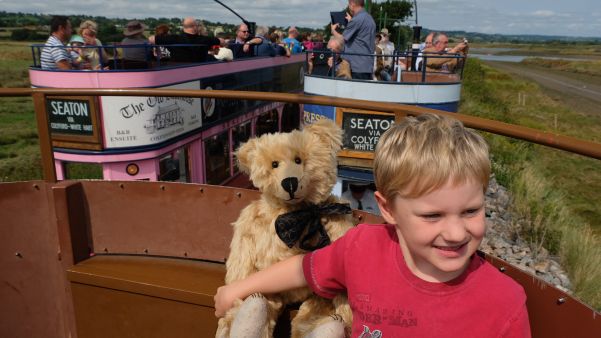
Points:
(34, 301)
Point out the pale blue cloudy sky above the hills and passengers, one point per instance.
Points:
(540, 17)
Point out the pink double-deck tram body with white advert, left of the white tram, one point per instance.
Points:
(166, 138)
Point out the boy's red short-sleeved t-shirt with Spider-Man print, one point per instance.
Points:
(388, 300)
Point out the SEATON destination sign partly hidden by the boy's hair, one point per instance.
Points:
(362, 131)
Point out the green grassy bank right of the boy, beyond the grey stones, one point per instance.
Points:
(554, 191)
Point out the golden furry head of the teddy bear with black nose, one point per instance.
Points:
(295, 167)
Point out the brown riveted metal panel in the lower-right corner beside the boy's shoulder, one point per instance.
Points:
(552, 313)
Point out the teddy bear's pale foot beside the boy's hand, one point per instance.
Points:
(251, 319)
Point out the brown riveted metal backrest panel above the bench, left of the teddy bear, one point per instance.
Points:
(165, 219)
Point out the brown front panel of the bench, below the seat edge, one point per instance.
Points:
(112, 313)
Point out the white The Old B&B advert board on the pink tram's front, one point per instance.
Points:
(133, 121)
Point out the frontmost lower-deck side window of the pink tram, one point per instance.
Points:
(217, 159)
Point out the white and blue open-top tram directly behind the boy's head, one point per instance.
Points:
(417, 86)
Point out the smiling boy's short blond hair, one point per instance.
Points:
(423, 153)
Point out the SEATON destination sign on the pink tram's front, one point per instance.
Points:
(70, 116)
